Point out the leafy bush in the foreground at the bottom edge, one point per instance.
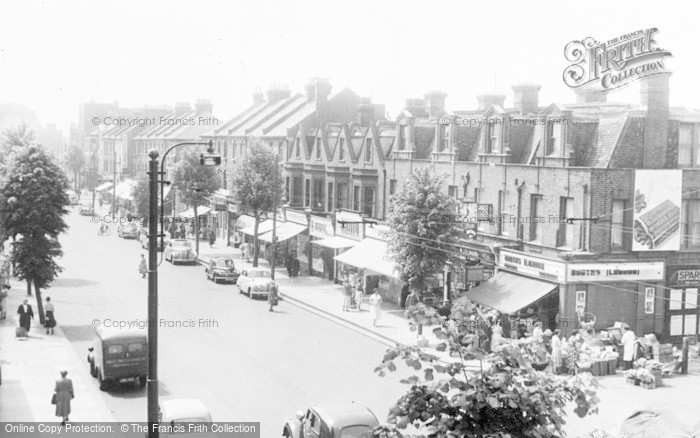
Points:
(501, 396)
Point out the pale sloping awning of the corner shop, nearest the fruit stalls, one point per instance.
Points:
(508, 293)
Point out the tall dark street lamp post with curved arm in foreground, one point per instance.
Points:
(154, 173)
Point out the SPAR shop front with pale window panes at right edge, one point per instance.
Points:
(683, 313)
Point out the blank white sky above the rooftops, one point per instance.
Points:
(55, 55)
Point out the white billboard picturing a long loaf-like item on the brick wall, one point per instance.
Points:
(657, 210)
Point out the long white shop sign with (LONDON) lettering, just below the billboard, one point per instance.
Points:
(623, 271)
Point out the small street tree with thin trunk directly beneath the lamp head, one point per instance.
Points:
(195, 184)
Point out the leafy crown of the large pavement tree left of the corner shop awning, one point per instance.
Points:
(421, 217)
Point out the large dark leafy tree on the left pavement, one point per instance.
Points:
(33, 202)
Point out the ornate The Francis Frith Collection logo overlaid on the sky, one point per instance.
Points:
(614, 63)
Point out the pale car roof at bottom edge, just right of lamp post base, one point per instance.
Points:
(178, 414)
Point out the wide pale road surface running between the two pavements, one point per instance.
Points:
(243, 362)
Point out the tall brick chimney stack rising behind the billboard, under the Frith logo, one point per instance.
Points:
(654, 96)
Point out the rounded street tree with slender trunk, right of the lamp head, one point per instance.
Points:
(253, 185)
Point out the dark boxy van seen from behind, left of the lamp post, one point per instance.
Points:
(119, 356)
